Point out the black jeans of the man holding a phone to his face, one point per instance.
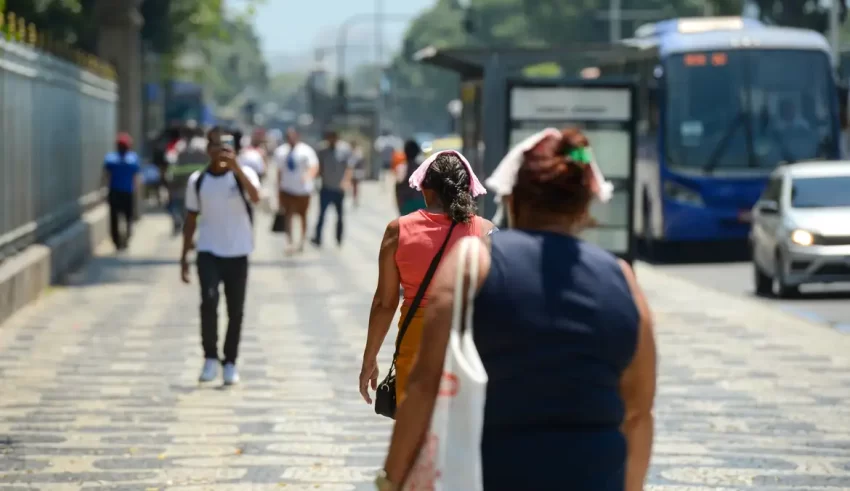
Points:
(233, 272)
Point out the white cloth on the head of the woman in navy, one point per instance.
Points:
(503, 179)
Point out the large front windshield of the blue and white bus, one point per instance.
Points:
(749, 109)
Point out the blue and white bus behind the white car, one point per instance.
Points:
(723, 102)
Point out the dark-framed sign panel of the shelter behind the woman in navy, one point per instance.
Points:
(605, 113)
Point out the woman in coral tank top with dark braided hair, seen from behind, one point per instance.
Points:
(410, 243)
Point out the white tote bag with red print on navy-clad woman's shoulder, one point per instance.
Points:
(450, 457)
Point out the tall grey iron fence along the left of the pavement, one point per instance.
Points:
(57, 122)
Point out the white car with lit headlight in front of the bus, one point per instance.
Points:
(801, 228)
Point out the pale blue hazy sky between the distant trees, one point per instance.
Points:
(292, 30)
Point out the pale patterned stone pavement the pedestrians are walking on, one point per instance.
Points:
(98, 381)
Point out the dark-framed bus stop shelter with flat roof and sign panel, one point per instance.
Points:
(501, 106)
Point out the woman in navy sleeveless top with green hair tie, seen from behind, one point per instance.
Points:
(563, 330)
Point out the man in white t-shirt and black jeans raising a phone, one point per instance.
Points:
(219, 205)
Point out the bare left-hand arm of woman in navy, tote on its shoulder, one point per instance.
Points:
(414, 413)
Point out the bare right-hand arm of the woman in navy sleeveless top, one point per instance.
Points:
(637, 388)
